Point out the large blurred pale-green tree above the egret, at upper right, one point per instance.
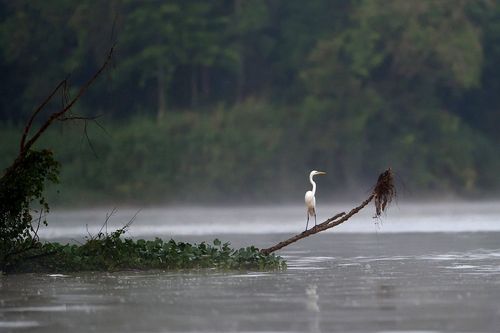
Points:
(388, 70)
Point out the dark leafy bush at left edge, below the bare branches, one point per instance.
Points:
(21, 191)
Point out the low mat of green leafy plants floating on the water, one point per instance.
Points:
(113, 252)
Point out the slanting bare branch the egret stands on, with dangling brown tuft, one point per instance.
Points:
(383, 193)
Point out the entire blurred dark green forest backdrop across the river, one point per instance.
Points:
(225, 99)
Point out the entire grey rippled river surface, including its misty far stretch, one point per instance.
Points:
(422, 268)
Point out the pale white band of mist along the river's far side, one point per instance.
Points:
(172, 221)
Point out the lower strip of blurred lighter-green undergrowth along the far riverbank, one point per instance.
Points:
(257, 152)
